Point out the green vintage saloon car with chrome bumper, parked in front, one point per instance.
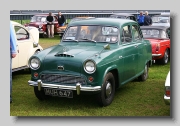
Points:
(95, 56)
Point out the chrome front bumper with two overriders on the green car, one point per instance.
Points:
(77, 88)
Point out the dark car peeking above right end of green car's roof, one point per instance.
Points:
(124, 16)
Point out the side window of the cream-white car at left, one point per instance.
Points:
(21, 33)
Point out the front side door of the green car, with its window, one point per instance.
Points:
(130, 53)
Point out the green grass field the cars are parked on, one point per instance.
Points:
(132, 99)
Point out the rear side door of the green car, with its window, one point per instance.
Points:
(137, 39)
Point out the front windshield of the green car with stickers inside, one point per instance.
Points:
(91, 34)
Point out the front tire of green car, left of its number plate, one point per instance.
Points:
(40, 94)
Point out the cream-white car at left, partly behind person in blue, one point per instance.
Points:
(27, 45)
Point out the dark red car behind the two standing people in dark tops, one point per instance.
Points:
(39, 21)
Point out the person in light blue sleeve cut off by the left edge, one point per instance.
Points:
(13, 53)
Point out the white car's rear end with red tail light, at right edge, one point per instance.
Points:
(167, 90)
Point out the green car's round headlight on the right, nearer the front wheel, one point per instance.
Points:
(90, 67)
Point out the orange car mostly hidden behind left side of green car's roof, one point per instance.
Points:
(63, 28)
